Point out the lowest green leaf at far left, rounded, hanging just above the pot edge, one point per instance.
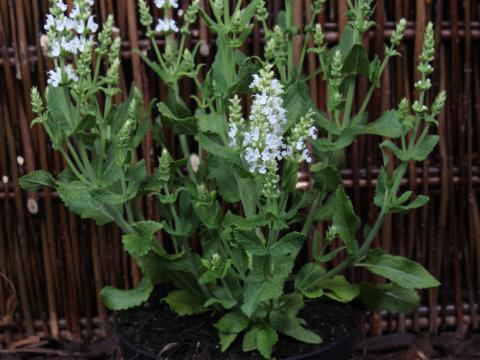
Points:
(117, 299)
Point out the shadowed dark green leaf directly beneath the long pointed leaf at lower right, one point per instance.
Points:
(390, 297)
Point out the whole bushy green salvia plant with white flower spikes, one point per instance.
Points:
(253, 127)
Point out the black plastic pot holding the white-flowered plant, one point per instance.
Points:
(339, 350)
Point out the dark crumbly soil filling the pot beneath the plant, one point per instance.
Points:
(156, 329)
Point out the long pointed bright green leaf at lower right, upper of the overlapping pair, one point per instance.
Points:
(404, 272)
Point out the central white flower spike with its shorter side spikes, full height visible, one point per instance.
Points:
(262, 138)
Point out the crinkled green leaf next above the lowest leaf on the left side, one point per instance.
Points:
(141, 242)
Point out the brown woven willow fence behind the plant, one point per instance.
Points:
(52, 264)
